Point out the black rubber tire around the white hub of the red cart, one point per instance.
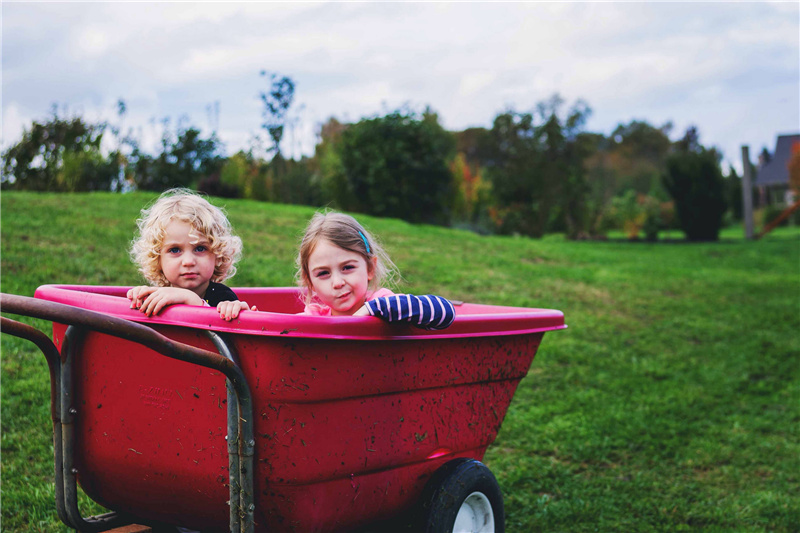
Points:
(447, 489)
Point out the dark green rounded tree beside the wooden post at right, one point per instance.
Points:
(694, 180)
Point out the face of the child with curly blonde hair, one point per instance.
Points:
(186, 258)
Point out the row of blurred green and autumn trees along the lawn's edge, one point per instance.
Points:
(532, 172)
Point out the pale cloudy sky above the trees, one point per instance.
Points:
(732, 69)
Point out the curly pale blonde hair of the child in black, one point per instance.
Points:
(186, 206)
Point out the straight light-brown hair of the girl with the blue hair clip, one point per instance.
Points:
(345, 232)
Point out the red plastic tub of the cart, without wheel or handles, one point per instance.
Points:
(351, 415)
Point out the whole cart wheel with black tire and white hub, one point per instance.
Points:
(462, 497)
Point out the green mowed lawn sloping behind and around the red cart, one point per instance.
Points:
(671, 403)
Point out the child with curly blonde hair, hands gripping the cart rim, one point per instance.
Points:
(185, 249)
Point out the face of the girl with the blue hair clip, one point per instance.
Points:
(339, 278)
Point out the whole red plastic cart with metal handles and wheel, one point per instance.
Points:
(276, 422)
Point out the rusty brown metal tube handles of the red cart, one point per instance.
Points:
(118, 327)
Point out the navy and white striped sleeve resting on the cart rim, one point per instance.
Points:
(427, 312)
